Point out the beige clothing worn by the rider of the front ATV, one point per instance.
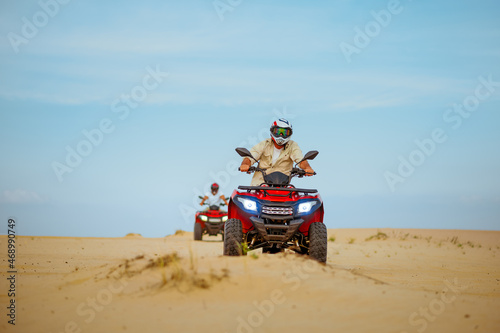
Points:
(263, 152)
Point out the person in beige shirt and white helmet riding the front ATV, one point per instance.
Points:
(276, 154)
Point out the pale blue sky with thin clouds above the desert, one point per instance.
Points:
(230, 72)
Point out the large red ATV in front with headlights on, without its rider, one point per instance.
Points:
(276, 216)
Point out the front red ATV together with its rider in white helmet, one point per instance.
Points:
(273, 214)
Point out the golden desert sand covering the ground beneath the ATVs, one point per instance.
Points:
(375, 280)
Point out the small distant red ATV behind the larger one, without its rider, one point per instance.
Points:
(209, 222)
